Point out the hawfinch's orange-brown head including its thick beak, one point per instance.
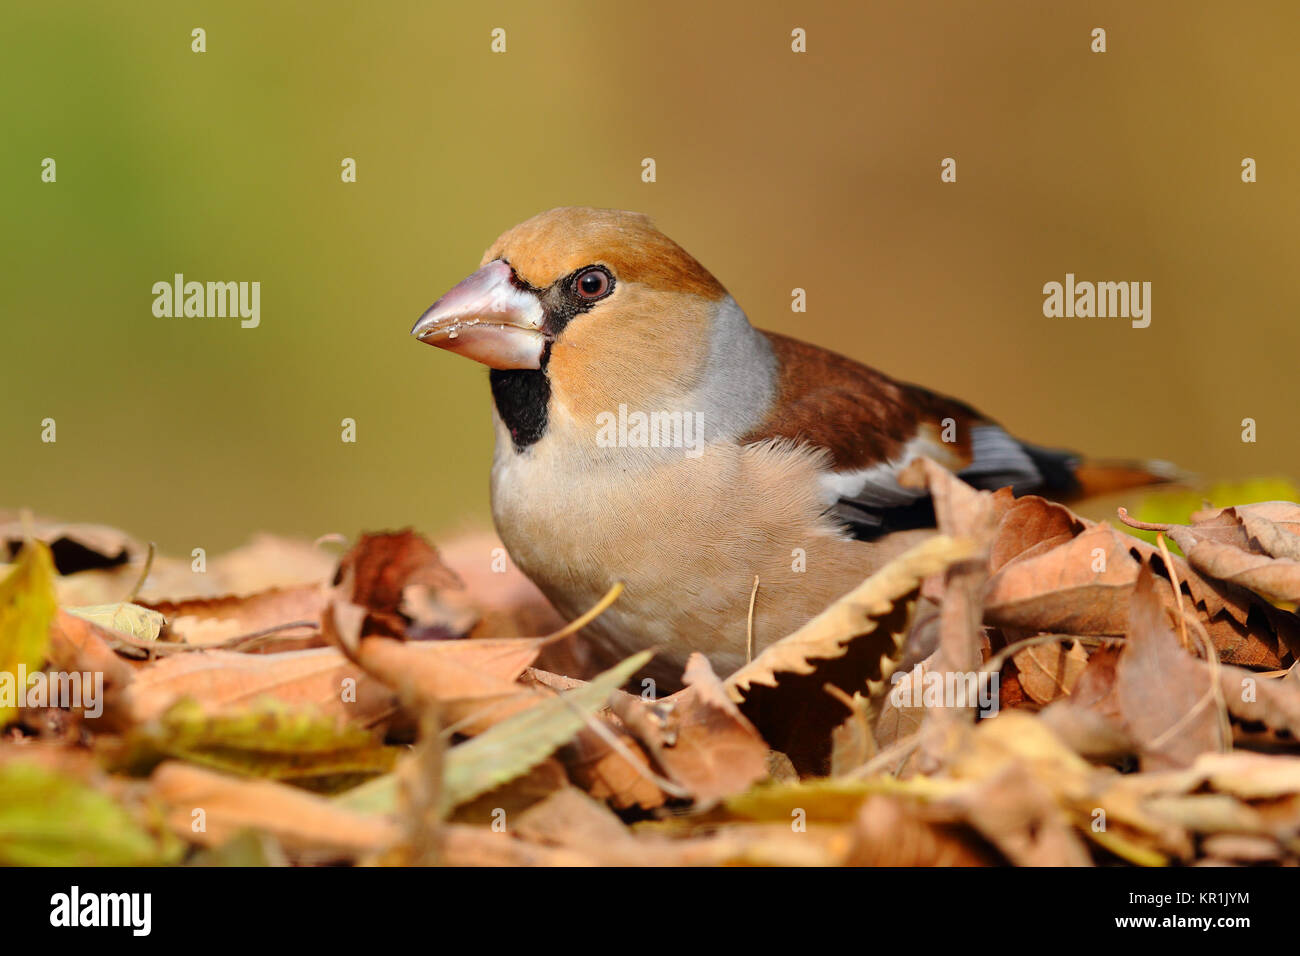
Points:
(601, 302)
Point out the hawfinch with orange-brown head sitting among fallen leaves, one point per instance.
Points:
(648, 434)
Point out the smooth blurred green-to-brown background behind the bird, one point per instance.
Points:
(775, 170)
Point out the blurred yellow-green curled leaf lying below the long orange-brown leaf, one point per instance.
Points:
(265, 739)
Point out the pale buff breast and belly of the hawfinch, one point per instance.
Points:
(686, 537)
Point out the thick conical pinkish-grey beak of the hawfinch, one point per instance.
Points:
(489, 319)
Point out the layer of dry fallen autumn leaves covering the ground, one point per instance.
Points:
(398, 706)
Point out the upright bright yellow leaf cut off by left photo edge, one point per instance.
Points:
(27, 608)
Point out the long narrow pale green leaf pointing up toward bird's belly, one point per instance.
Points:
(506, 750)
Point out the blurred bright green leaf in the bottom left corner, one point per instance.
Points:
(53, 819)
